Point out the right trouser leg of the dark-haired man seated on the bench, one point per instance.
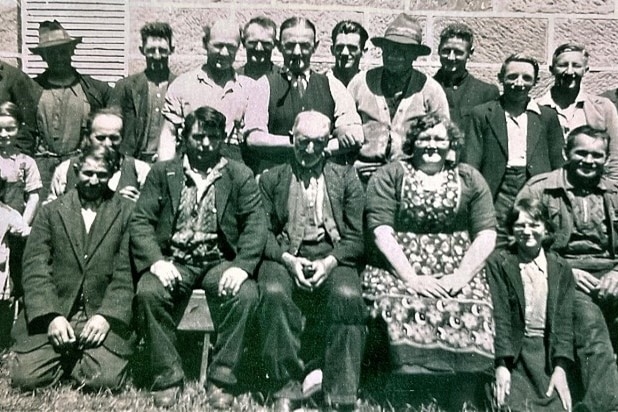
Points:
(231, 316)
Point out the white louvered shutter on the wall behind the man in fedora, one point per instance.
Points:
(101, 23)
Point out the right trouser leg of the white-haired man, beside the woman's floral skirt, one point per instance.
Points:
(344, 314)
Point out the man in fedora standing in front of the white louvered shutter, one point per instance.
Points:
(65, 100)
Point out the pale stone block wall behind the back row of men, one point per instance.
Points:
(501, 26)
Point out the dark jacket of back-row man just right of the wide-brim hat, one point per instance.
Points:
(470, 92)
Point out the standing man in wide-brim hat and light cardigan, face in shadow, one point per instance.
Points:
(388, 97)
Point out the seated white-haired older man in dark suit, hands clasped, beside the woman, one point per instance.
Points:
(314, 211)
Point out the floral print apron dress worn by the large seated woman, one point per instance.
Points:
(442, 335)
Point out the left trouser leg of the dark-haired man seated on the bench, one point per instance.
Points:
(157, 312)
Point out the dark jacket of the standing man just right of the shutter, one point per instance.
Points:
(131, 95)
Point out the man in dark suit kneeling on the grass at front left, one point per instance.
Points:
(78, 288)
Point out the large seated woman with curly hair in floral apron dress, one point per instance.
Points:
(433, 225)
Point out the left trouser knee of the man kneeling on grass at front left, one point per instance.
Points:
(37, 368)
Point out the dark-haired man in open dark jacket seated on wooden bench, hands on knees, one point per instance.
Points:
(198, 223)
